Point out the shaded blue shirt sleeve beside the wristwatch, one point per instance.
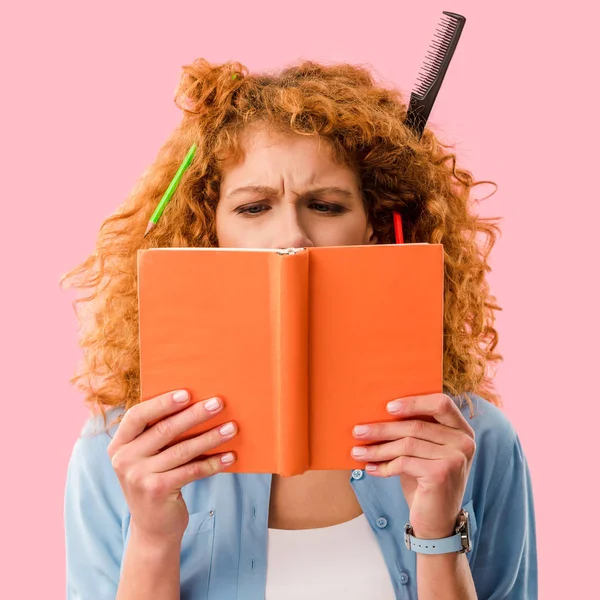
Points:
(505, 567)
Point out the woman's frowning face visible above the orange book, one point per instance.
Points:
(288, 192)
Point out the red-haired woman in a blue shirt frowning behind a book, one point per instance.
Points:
(313, 156)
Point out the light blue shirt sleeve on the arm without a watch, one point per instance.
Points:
(93, 524)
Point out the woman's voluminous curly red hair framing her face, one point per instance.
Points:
(364, 124)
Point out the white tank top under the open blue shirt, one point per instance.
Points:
(341, 561)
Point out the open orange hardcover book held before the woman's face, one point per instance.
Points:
(301, 344)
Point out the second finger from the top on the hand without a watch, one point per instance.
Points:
(155, 438)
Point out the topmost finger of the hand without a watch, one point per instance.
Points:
(137, 418)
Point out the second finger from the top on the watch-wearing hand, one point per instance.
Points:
(417, 428)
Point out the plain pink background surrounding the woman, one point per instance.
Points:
(86, 102)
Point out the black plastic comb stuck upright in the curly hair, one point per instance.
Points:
(434, 69)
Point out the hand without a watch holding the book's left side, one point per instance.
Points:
(151, 475)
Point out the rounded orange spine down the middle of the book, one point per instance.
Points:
(289, 311)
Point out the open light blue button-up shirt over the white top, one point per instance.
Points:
(224, 548)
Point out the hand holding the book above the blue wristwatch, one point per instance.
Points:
(431, 448)
